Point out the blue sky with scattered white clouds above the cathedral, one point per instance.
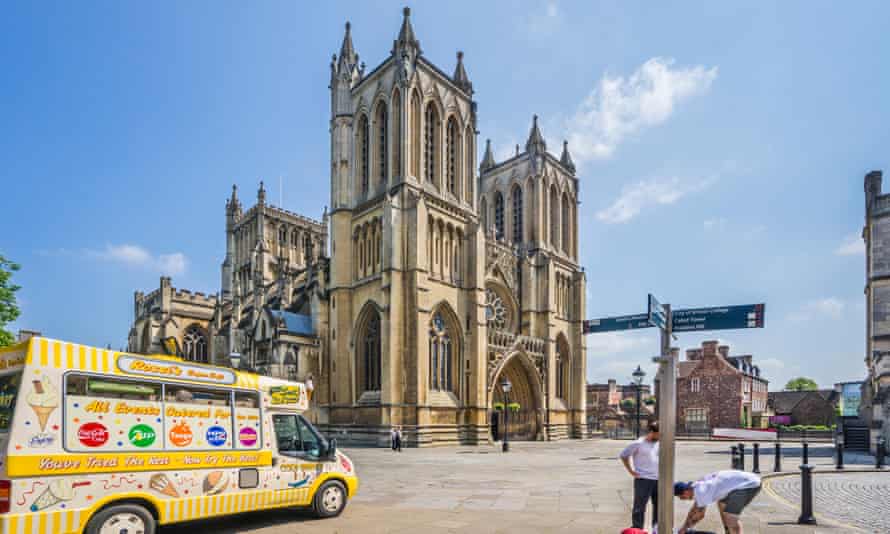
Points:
(721, 149)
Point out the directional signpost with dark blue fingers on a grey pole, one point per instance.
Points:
(668, 321)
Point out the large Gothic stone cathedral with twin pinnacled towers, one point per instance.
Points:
(435, 294)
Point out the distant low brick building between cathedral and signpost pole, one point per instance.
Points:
(604, 405)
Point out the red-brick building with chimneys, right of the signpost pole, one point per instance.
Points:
(715, 389)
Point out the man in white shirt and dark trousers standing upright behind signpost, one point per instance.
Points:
(644, 453)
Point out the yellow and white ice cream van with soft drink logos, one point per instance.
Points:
(96, 441)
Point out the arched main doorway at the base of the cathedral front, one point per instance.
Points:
(523, 402)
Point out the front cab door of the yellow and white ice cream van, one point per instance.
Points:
(299, 450)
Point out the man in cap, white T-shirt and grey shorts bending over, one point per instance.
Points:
(732, 490)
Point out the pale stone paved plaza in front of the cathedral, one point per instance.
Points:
(570, 486)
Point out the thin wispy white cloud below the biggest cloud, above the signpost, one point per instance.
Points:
(647, 193)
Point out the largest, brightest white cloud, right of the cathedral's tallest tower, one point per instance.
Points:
(619, 107)
